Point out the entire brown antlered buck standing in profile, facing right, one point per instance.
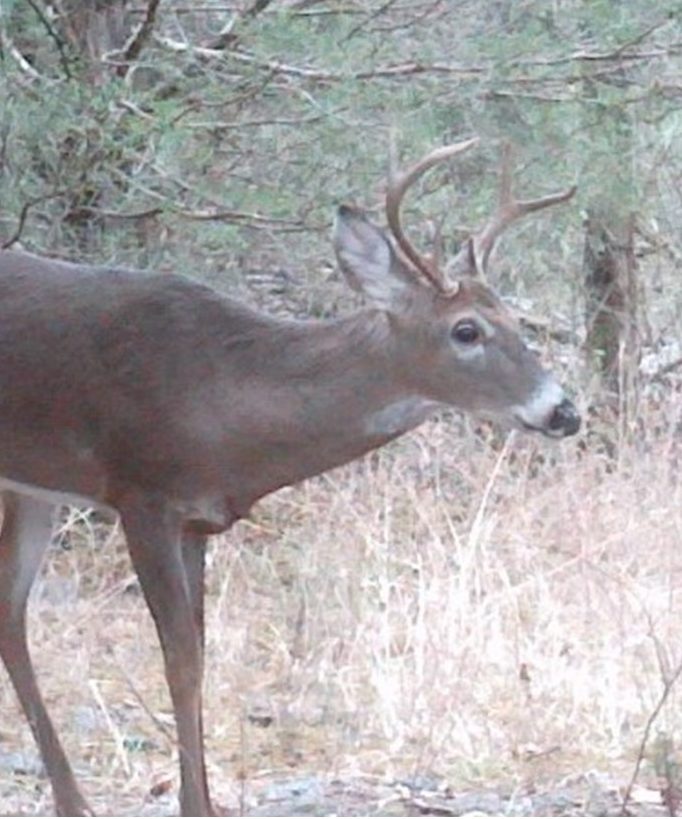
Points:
(178, 408)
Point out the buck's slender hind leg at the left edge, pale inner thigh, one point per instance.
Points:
(24, 537)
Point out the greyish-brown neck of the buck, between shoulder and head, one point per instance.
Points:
(334, 391)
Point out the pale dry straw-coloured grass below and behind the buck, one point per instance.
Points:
(480, 612)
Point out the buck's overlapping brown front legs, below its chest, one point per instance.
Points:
(155, 543)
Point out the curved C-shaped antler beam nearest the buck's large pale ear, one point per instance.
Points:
(398, 186)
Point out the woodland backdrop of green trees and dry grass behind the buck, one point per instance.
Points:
(465, 608)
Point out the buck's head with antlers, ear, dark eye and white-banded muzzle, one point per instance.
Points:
(462, 346)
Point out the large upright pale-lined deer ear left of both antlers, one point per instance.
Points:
(367, 259)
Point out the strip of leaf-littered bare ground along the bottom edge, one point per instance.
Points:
(590, 794)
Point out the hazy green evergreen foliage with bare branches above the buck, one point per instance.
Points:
(270, 132)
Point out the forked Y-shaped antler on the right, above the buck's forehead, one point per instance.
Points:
(472, 259)
